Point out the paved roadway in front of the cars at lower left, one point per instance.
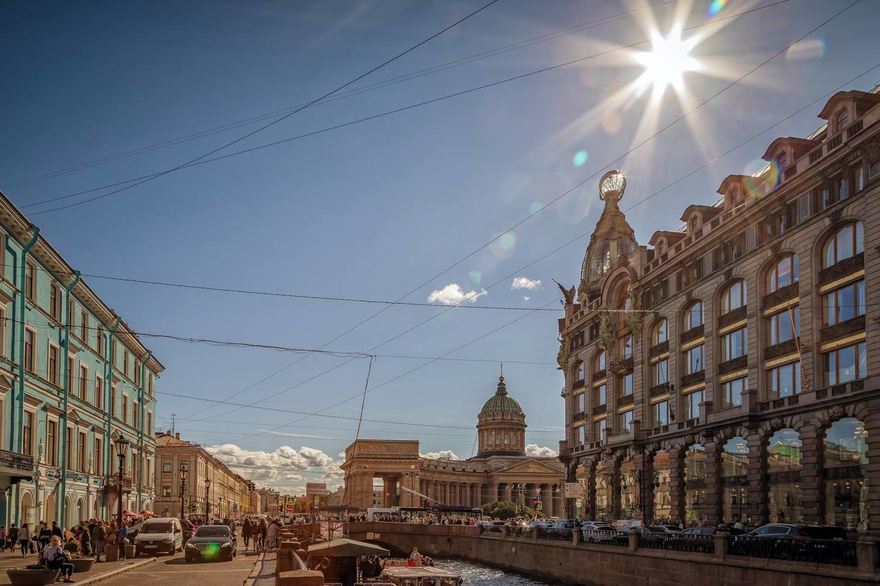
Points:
(171, 571)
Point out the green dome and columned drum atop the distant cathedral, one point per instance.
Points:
(502, 425)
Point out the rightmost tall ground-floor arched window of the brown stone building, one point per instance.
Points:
(845, 464)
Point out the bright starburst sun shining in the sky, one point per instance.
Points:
(667, 62)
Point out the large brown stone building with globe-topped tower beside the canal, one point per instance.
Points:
(730, 368)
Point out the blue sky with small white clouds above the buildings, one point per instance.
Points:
(377, 209)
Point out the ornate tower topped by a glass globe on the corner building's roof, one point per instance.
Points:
(613, 236)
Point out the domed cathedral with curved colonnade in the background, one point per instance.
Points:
(501, 470)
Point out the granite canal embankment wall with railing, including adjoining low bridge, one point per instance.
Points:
(633, 560)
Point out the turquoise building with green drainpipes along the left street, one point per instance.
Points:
(73, 377)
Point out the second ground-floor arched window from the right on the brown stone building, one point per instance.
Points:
(783, 474)
